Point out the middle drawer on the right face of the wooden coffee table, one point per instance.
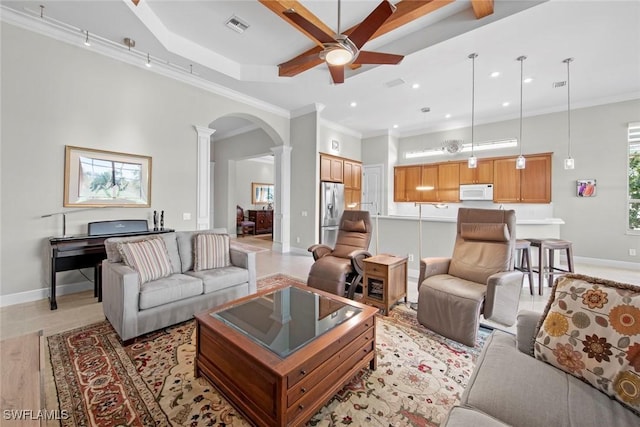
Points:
(361, 345)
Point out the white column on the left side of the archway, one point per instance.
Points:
(203, 173)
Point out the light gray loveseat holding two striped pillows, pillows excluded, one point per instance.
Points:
(134, 309)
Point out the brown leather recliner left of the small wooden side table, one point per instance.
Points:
(342, 265)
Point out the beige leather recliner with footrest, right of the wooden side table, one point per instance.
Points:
(479, 278)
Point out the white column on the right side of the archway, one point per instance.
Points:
(282, 212)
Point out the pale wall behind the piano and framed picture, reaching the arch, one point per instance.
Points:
(53, 95)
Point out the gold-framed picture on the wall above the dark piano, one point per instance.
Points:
(99, 178)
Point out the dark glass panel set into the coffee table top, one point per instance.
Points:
(286, 319)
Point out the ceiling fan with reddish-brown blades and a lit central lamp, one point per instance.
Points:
(340, 50)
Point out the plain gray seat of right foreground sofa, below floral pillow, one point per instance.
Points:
(523, 391)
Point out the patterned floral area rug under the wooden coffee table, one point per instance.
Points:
(99, 382)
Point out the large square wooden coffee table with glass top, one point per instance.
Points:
(279, 356)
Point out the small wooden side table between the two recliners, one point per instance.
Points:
(385, 281)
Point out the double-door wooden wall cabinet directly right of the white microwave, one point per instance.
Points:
(529, 185)
